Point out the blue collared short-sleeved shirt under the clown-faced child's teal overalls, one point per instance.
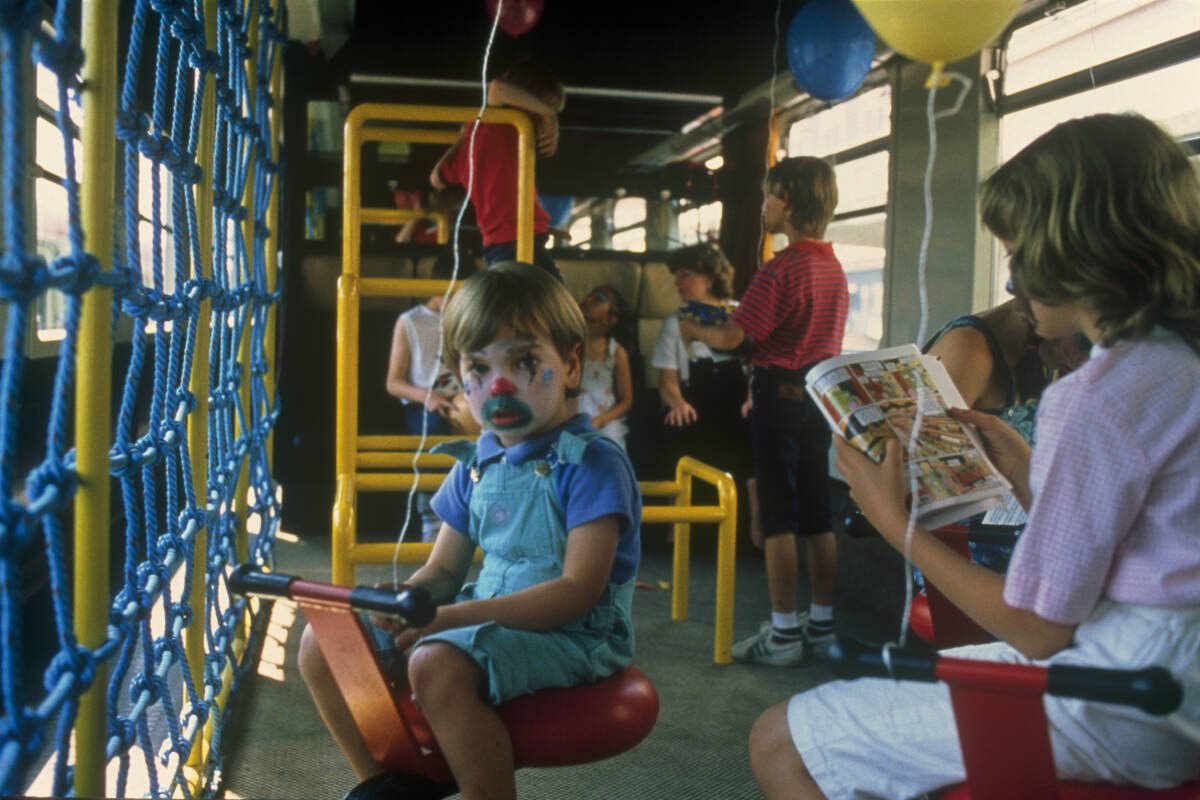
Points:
(603, 484)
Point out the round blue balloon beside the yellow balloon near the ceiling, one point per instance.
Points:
(830, 49)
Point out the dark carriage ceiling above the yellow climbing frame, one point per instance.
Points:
(668, 64)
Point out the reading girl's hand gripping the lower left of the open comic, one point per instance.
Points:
(879, 490)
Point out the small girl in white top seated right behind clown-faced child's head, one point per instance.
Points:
(608, 389)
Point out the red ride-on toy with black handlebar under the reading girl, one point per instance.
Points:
(1001, 719)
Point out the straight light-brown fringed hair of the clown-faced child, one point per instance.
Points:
(525, 298)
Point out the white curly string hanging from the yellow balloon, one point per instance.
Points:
(932, 117)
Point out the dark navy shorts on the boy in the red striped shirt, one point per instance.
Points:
(791, 442)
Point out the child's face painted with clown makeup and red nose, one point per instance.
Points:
(517, 387)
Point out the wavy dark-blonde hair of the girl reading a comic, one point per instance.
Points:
(1105, 210)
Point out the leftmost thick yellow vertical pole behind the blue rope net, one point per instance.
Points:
(95, 384)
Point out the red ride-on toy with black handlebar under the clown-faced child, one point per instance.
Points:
(554, 727)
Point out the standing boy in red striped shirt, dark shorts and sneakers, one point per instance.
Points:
(793, 316)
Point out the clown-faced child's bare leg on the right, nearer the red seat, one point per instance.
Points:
(477, 747)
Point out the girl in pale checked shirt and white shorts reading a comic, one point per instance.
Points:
(1102, 220)
